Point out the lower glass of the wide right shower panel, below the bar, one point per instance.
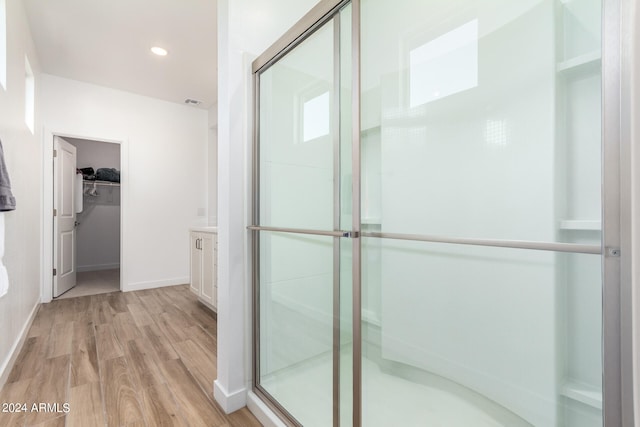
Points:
(465, 335)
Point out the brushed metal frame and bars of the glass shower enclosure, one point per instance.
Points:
(617, 319)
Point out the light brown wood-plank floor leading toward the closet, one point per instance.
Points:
(145, 358)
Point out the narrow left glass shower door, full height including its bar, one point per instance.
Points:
(299, 246)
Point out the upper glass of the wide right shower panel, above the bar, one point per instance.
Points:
(485, 116)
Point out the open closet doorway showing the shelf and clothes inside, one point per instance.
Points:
(97, 208)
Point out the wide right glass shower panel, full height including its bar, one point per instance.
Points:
(481, 213)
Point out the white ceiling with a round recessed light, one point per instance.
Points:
(107, 42)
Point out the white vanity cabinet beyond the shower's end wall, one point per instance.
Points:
(204, 268)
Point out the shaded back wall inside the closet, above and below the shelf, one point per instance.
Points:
(98, 231)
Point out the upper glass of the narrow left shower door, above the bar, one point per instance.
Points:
(296, 142)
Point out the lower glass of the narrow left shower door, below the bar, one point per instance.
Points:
(296, 324)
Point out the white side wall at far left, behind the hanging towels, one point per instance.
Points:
(22, 152)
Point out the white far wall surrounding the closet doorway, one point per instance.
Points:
(163, 172)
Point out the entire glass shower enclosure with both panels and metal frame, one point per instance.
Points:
(428, 244)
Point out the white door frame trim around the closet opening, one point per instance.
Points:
(46, 237)
